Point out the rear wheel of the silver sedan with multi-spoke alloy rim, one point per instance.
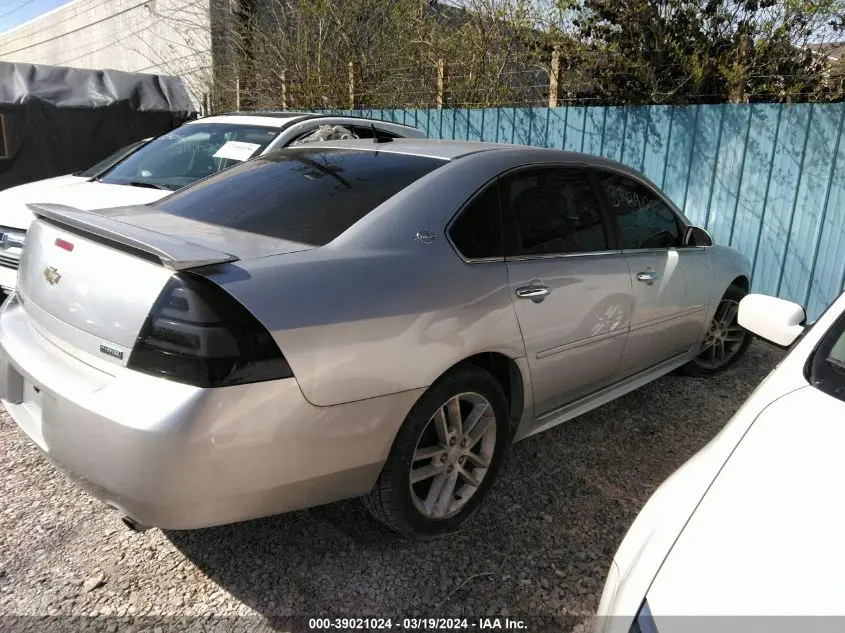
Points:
(445, 457)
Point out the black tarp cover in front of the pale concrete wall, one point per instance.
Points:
(56, 120)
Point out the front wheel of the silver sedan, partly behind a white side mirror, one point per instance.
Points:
(725, 341)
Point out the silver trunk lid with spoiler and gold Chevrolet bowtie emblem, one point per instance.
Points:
(88, 280)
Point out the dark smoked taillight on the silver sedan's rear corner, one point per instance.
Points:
(197, 333)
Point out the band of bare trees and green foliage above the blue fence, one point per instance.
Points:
(327, 54)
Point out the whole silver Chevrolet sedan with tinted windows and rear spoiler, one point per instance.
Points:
(358, 318)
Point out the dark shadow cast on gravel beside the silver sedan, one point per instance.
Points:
(539, 546)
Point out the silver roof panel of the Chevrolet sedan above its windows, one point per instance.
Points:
(451, 150)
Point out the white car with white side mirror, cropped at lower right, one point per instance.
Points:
(753, 524)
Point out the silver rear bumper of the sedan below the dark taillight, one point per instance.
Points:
(179, 457)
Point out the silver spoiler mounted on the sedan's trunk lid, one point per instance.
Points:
(171, 252)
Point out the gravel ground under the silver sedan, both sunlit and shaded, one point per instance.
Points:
(540, 546)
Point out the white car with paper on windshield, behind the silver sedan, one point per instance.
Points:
(148, 170)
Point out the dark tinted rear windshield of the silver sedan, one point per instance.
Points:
(309, 195)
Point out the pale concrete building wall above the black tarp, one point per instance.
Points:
(150, 36)
